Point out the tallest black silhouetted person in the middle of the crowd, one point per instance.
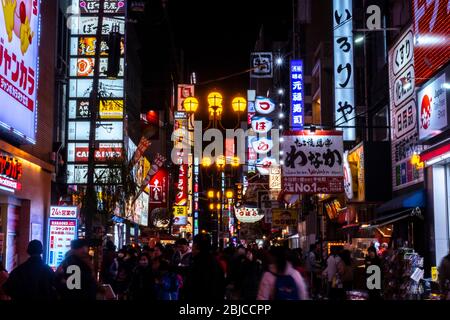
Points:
(205, 280)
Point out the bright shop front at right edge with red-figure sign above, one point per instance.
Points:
(434, 125)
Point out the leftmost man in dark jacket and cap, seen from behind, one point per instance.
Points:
(33, 279)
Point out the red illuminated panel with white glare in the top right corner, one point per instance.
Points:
(431, 37)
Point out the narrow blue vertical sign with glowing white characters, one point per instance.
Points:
(297, 103)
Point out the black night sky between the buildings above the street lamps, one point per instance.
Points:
(216, 37)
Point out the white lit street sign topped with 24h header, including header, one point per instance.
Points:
(62, 229)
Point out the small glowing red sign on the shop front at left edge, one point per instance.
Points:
(11, 171)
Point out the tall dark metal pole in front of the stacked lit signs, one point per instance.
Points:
(91, 197)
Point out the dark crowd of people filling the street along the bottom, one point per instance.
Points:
(179, 272)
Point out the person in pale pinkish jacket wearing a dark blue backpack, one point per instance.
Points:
(282, 281)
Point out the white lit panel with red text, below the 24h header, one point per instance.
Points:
(60, 233)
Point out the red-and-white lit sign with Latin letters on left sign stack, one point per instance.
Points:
(79, 152)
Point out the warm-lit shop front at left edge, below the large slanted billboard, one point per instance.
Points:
(25, 189)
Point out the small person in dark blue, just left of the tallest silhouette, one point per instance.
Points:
(167, 282)
